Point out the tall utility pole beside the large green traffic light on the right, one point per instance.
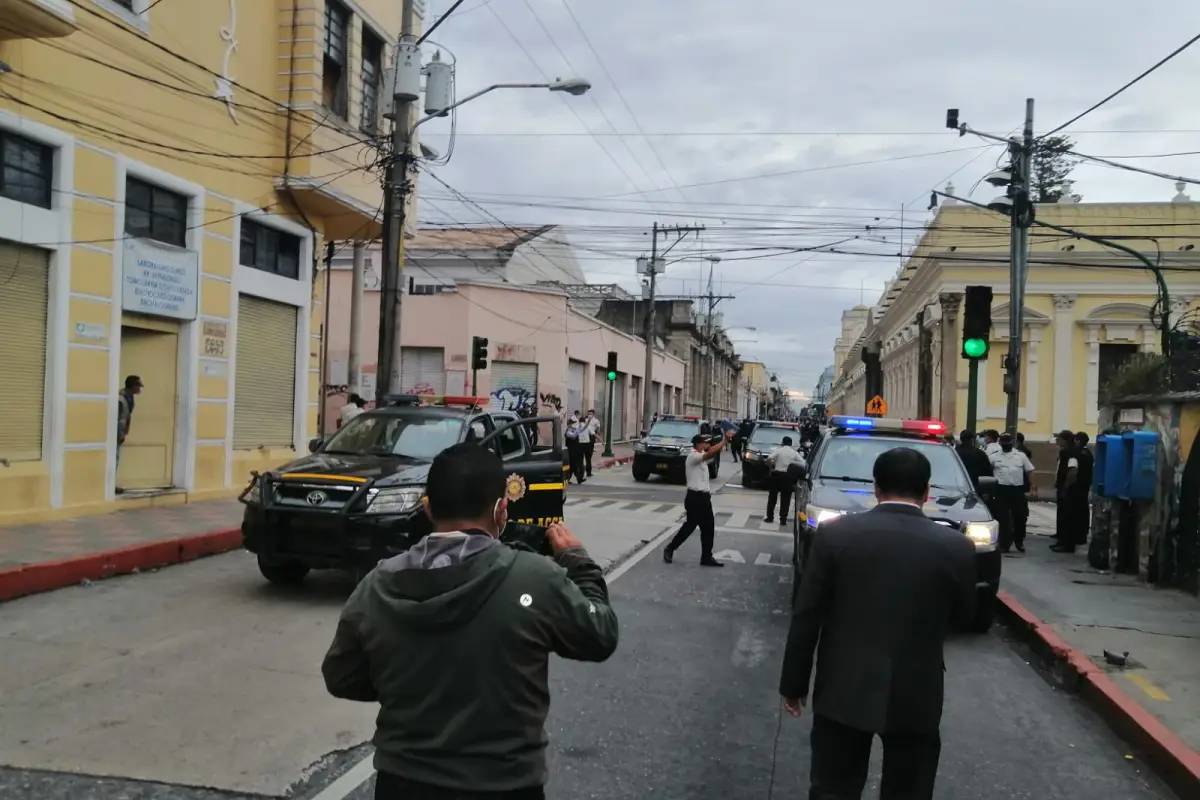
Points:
(1022, 220)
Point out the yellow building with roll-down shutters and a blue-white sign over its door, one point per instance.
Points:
(171, 175)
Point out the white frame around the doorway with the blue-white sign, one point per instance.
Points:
(188, 360)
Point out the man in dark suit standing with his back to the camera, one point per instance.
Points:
(880, 592)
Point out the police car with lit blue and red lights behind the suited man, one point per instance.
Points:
(839, 482)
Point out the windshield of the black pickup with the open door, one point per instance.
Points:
(389, 435)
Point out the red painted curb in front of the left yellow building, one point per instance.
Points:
(49, 576)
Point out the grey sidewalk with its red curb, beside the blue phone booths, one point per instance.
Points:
(1077, 613)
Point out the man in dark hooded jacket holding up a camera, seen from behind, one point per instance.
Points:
(453, 640)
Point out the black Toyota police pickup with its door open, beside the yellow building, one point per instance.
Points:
(357, 497)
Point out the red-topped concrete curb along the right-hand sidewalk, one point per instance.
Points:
(1172, 757)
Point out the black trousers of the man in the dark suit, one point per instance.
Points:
(842, 756)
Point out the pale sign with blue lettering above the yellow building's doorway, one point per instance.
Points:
(160, 281)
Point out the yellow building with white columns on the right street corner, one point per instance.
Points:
(1088, 310)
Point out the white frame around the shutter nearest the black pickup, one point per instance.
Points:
(298, 293)
